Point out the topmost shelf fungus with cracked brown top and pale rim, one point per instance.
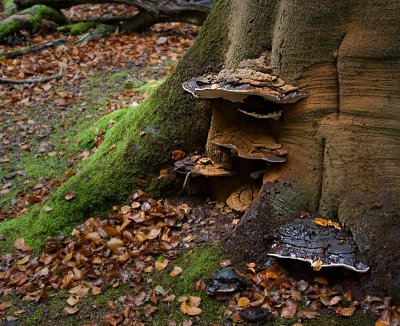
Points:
(236, 85)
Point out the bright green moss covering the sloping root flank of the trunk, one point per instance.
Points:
(170, 118)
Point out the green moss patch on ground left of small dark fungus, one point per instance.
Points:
(200, 264)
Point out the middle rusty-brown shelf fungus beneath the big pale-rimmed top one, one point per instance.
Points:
(250, 141)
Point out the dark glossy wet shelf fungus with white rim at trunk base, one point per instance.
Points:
(302, 239)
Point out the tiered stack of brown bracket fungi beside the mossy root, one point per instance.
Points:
(241, 127)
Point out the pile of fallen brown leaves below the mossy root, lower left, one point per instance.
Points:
(122, 248)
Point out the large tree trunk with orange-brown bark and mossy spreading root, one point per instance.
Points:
(342, 140)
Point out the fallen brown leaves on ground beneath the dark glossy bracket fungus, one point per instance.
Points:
(282, 296)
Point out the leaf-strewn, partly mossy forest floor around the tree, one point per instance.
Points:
(147, 263)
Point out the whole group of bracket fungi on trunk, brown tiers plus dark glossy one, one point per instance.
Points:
(259, 95)
